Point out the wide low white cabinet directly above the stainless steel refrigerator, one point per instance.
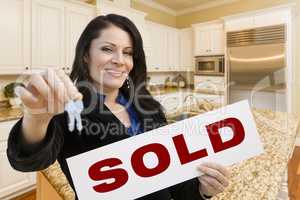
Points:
(254, 20)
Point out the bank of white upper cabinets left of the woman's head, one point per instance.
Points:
(40, 33)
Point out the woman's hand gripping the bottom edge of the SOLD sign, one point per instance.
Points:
(214, 180)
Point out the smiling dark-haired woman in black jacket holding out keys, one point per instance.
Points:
(109, 72)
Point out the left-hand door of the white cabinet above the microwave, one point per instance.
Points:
(202, 42)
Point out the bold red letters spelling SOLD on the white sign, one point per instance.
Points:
(120, 175)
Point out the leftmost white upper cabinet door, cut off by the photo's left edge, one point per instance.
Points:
(15, 36)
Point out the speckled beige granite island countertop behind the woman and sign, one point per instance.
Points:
(256, 178)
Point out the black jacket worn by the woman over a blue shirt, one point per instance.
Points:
(60, 143)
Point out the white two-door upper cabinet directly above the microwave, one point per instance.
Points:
(208, 39)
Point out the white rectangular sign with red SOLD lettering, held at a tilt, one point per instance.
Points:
(166, 156)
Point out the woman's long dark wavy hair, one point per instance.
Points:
(80, 70)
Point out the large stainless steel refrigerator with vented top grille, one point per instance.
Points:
(256, 67)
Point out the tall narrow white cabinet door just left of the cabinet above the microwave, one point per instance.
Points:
(186, 50)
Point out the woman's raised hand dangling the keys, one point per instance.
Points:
(47, 93)
